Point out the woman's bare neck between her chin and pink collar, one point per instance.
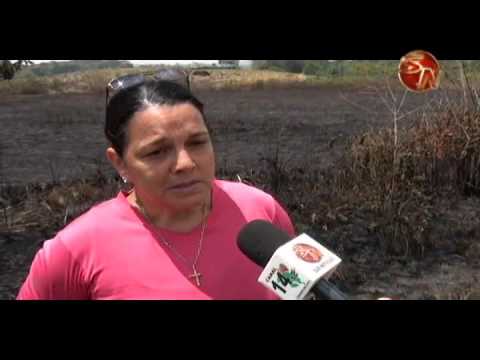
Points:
(161, 216)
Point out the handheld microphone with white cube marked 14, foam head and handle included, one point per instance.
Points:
(295, 268)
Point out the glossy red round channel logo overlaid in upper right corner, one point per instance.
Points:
(419, 71)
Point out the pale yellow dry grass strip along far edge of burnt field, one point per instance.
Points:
(95, 80)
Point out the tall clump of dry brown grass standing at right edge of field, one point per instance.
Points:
(398, 176)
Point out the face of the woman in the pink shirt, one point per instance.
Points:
(169, 155)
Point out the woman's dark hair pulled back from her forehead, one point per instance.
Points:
(126, 102)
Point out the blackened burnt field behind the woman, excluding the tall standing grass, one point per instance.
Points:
(259, 134)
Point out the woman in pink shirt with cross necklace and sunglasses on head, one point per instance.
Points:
(173, 236)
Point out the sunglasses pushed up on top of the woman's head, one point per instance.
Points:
(124, 82)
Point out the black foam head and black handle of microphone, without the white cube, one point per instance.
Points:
(259, 240)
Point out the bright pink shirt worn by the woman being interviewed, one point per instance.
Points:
(111, 253)
